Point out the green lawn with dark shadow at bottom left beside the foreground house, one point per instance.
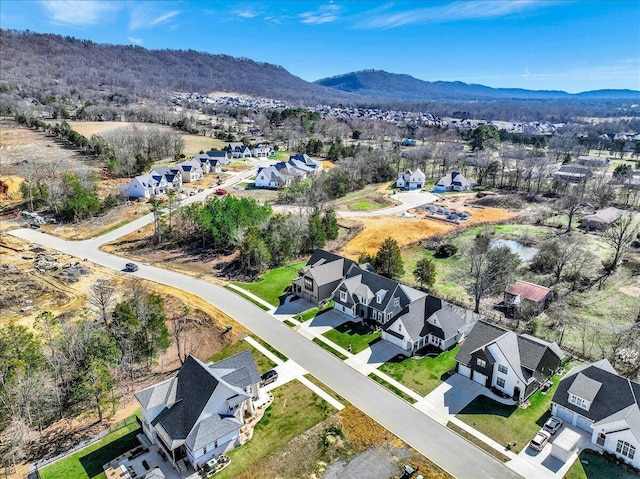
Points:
(87, 463)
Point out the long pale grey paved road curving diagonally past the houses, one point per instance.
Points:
(445, 448)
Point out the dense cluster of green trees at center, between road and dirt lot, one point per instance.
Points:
(261, 238)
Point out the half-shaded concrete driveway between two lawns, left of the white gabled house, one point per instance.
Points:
(450, 398)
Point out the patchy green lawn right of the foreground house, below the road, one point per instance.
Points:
(294, 410)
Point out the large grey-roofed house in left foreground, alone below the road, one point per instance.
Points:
(197, 415)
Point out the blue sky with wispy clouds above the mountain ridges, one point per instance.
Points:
(570, 45)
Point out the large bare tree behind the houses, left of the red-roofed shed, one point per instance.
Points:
(491, 269)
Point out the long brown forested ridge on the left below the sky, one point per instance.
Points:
(39, 65)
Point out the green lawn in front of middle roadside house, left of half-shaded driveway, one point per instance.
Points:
(422, 375)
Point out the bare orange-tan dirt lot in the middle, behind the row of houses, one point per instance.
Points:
(409, 231)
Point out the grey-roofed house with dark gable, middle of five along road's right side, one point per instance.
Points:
(429, 321)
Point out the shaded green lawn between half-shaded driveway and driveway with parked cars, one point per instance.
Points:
(506, 424)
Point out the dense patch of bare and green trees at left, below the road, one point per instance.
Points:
(65, 367)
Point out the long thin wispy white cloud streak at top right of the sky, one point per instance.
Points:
(459, 10)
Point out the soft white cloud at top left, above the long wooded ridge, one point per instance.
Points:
(78, 13)
